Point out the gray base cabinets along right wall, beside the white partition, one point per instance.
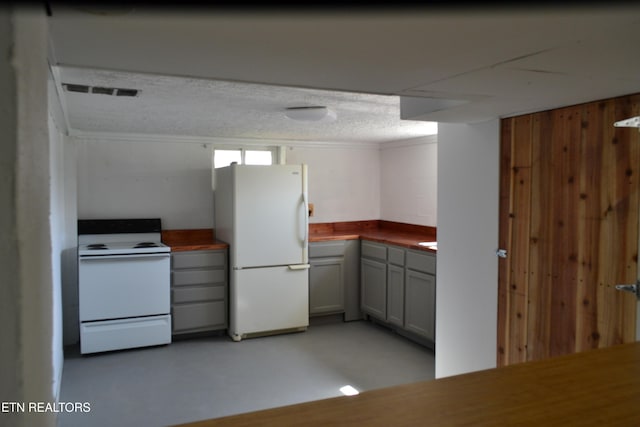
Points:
(398, 287)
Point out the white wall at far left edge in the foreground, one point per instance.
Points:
(31, 337)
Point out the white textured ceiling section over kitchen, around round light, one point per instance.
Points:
(207, 108)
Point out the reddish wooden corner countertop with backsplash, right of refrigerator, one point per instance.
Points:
(394, 233)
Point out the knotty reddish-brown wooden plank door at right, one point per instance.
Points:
(569, 193)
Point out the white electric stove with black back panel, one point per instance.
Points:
(123, 284)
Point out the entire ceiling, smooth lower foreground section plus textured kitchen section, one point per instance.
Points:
(465, 64)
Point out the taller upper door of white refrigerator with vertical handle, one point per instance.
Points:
(270, 216)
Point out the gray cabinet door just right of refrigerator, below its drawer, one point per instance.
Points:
(326, 285)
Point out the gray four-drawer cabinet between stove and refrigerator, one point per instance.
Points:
(199, 283)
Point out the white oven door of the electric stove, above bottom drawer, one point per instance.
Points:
(119, 286)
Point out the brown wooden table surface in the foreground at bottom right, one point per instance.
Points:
(597, 388)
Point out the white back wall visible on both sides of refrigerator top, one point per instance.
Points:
(173, 181)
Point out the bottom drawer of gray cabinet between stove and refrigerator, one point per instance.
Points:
(199, 316)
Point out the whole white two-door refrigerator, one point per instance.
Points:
(262, 212)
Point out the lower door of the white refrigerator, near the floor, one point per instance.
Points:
(268, 299)
